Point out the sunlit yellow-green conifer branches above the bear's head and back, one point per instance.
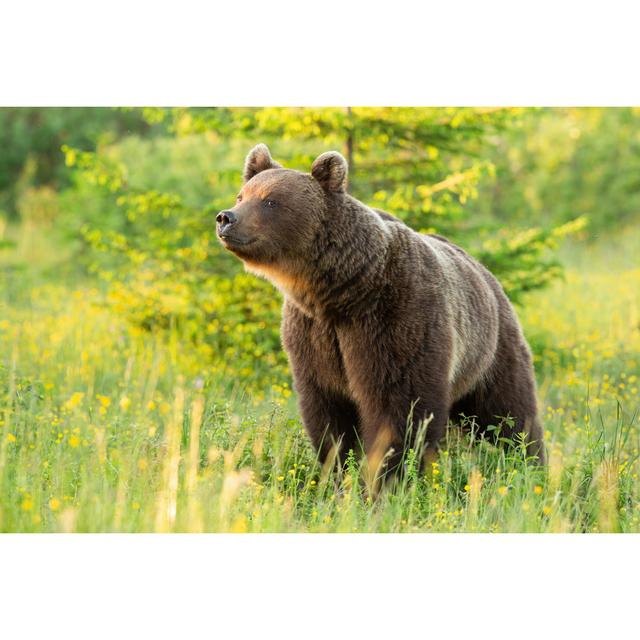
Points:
(424, 165)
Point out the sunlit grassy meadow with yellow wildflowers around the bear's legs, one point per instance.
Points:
(108, 428)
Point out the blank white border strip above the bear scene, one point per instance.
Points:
(327, 52)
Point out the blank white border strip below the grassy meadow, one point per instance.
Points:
(319, 586)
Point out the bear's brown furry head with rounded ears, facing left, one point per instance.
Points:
(279, 213)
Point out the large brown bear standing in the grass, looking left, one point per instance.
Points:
(385, 328)
